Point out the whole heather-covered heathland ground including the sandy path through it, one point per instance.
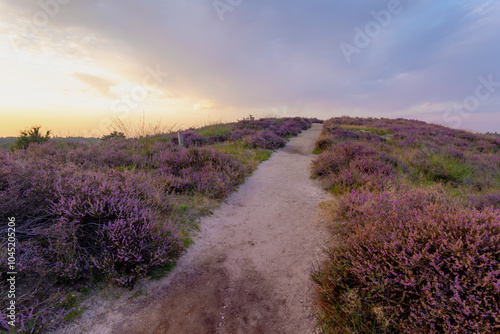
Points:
(412, 210)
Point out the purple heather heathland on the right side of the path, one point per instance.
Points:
(417, 225)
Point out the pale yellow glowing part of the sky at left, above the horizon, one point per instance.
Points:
(73, 82)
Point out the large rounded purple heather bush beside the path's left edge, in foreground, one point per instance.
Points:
(110, 217)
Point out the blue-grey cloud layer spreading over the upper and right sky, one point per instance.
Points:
(272, 54)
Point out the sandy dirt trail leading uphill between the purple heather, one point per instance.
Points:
(248, 271)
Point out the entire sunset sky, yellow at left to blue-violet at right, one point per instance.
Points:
(75, 66)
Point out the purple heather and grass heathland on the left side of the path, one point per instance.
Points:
(115, 211)
